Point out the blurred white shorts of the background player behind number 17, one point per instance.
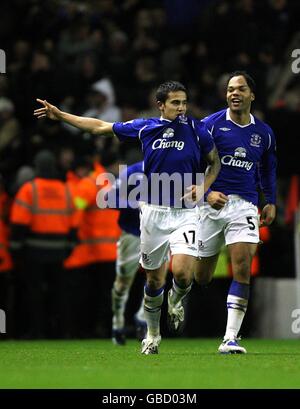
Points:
(128, 254)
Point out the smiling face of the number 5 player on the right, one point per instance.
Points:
(239, 95)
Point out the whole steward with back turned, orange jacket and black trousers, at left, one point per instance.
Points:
(42, 225)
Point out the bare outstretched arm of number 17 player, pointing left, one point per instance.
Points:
(92, 125)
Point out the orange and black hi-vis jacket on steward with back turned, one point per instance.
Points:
(42, 219)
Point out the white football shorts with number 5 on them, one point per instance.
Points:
(236, 222)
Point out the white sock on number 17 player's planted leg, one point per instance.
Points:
(152, 310)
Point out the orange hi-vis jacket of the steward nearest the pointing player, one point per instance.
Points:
(98, 229)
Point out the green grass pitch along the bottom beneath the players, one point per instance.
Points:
(181, 363)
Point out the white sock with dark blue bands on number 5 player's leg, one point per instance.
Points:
(236, 308)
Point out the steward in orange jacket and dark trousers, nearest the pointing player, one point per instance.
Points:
(90, 269)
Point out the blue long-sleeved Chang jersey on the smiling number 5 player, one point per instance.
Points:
(247, 155)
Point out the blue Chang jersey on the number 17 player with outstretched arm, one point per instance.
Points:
(169, 147)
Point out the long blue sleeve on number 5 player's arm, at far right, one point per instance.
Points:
(268, 169)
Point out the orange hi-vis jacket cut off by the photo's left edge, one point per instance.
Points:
(5, 257)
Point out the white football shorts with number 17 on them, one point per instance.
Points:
(167, 230)
